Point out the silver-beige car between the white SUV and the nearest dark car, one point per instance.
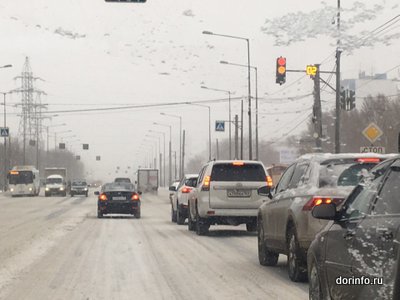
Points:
(285, 223)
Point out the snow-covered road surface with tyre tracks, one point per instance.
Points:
(56, 248)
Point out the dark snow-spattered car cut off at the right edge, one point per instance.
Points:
(356, 256)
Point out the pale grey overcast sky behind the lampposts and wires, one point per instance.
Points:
(96, 54)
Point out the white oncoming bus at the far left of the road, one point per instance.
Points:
(24, 181)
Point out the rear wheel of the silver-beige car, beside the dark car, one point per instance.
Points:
(297, 267)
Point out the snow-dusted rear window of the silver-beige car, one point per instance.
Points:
(342, 173)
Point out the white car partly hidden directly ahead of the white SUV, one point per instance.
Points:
(180, 198)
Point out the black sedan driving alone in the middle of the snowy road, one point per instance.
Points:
(118, 198)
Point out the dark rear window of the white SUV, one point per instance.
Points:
(245, 172)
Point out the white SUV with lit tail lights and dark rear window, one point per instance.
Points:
(226, 193)
